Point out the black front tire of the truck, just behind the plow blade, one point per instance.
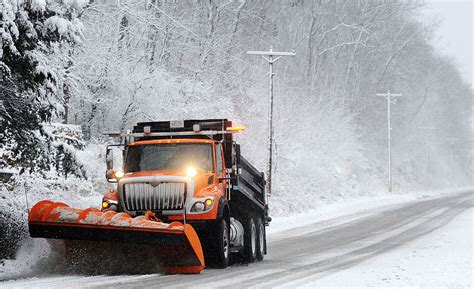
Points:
(217, 252)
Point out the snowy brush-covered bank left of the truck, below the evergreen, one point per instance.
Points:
(24, 190)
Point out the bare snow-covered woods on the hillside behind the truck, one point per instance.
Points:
(162, 59)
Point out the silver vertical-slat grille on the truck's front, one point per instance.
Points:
(144, 196)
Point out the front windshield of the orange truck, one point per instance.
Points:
(169, 157)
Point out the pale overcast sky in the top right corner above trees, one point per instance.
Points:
(454, 36)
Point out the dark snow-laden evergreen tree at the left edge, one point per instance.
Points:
(31, 33)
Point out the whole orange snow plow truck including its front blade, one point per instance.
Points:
(184, 195)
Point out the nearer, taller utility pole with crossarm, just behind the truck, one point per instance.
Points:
(271, 57)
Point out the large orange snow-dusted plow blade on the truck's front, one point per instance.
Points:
(176, 245)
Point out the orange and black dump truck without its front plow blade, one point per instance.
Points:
(192, 171)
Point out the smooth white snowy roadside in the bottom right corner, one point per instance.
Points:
(441, 259)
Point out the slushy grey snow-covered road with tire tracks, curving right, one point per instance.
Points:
(304, 255)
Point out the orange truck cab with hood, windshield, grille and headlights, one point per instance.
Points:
(168, 176)
